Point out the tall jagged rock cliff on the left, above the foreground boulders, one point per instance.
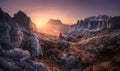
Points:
(15, 31)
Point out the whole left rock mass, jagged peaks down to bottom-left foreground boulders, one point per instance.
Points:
(19, 43)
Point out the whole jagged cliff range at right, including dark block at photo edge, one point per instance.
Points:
(93, 24)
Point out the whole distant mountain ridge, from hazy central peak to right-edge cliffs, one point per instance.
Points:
(90, 24)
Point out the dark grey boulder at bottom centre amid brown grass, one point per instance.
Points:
(70, 63)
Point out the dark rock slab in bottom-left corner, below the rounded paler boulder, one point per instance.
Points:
(21, 64)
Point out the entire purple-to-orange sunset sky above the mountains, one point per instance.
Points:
(68, 11)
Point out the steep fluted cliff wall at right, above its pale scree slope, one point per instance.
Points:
(92, 23)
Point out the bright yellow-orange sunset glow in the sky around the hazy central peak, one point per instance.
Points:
(41, 18)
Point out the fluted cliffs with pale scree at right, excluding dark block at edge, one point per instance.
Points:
(90, 24)
